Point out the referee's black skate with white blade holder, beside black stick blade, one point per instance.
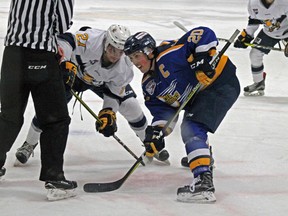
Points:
(58, 190)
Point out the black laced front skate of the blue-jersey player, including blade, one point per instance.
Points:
(200, 191)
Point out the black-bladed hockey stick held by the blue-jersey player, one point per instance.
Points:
(111, 186)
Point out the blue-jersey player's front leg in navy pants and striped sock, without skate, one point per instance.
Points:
(205, 115)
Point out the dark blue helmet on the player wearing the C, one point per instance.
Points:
(139, 42)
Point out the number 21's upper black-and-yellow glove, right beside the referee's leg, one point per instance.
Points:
(69, 70)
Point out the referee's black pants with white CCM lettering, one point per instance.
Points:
(24, 71)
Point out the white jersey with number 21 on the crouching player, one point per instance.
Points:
(87, 54)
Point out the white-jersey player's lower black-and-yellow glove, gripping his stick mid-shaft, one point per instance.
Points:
(108, 126)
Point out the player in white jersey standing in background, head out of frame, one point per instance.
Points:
(273, 15)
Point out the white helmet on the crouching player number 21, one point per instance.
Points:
(116, 35)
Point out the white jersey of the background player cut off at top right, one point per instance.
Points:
(274, 18)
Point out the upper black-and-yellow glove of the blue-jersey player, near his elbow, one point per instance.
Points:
(204, 71)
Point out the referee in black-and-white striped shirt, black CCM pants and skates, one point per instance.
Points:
(30, 65)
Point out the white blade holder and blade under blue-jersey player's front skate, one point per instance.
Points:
(202, 197)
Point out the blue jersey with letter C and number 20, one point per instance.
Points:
(168, 86)
